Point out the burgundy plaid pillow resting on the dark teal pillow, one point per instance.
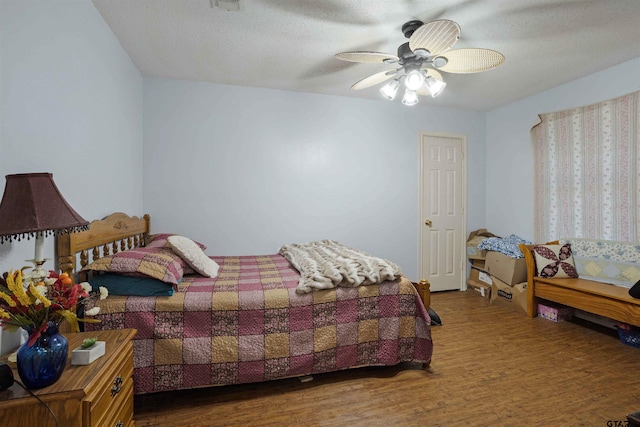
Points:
(159, 263)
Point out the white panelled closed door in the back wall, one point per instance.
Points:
(442, 210)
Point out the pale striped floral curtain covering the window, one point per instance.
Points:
(587, 172)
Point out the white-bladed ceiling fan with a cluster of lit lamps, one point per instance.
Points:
(421, 59)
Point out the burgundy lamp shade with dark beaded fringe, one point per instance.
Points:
(32, 205)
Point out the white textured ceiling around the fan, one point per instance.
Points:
(290, 44)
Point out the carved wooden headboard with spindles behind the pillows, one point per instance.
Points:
(115, 233)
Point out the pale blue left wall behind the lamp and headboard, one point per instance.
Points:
(70, 104)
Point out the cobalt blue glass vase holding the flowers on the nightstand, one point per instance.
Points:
(42, 364)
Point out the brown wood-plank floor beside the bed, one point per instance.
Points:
(491, 367)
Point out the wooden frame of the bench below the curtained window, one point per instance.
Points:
(599, 298)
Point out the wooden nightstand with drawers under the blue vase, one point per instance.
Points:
(99, 394)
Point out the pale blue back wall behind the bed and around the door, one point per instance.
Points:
(246, 170)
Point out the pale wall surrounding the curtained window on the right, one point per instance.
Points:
(509, 167)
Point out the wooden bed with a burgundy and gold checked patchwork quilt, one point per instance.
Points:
(248, 324)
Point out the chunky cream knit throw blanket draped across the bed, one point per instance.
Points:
(327, 264)
